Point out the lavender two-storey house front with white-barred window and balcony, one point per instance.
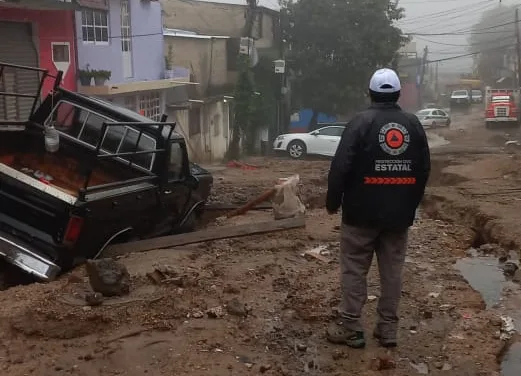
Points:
(121, 54)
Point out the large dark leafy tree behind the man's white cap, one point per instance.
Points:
(335, 46)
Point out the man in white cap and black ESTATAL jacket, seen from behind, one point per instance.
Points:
(378, 176)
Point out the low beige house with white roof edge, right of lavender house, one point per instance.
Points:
(202, 117)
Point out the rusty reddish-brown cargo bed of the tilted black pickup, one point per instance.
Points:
(65, 170)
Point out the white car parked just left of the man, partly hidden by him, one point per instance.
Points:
(323, 141)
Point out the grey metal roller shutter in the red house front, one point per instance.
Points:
(16, 47)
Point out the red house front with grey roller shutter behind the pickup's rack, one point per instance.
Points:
(36, 34)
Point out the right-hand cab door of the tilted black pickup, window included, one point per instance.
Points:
(175, 194)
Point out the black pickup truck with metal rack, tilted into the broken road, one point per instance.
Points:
(81, 173)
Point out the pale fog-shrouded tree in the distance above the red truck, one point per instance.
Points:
(491, 38)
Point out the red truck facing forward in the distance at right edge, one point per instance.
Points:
(501, 110)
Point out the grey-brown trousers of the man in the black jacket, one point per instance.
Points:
(357, 246)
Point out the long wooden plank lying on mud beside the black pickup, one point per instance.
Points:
(217, 233)
